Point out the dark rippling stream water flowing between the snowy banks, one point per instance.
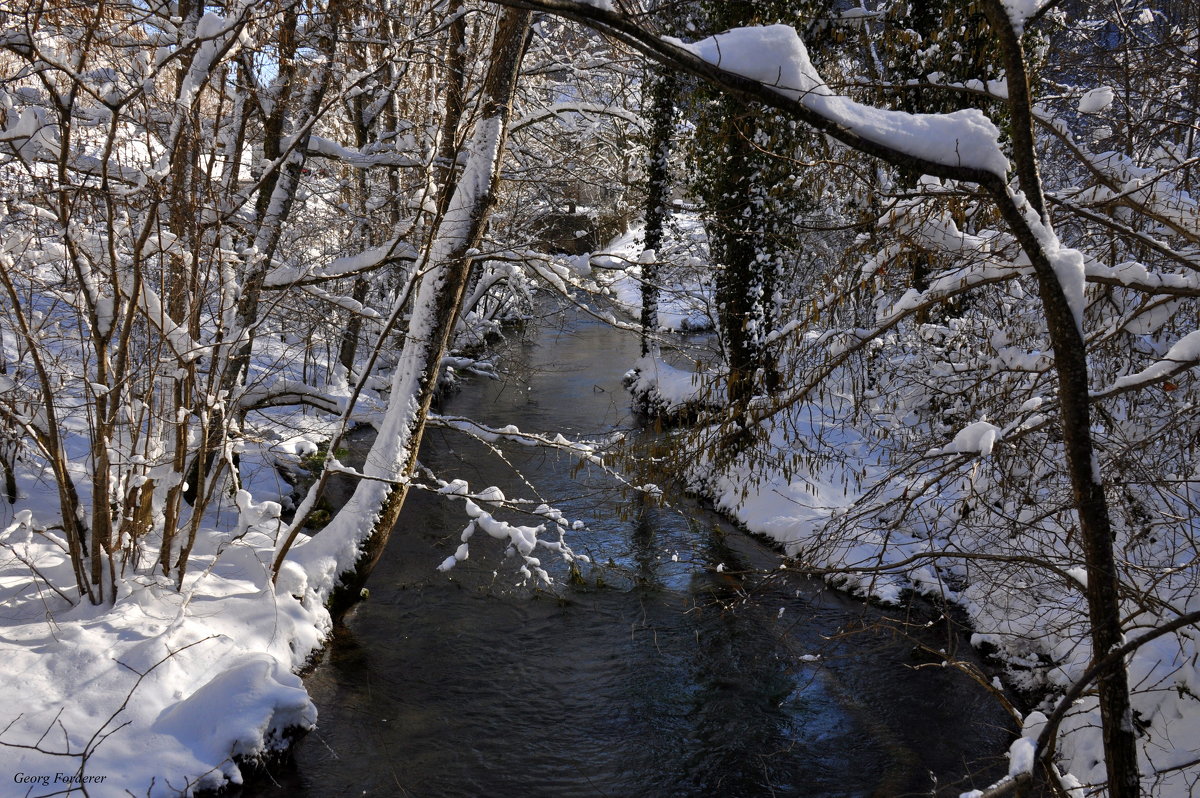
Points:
(659, 676)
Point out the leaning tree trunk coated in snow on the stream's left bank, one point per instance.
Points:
(343, 556)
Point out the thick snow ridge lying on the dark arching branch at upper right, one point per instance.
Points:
(777, 57)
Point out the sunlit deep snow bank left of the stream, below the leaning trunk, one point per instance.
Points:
(161, 693)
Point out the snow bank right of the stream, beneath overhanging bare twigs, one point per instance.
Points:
(1035, 620)
